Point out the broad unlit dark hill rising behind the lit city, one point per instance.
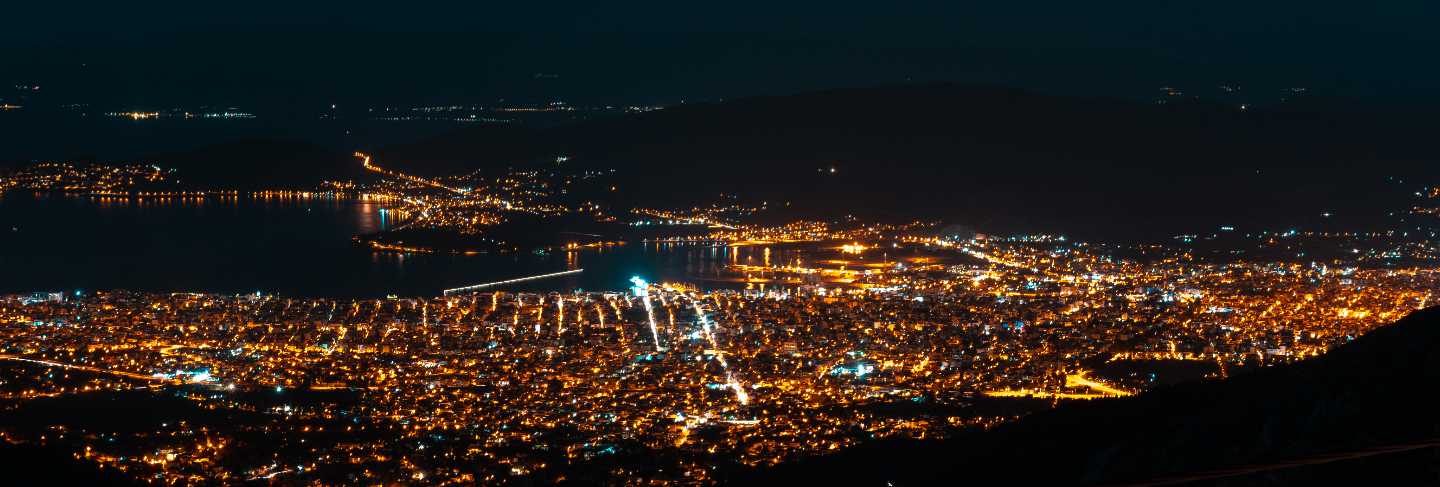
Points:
(991, 158)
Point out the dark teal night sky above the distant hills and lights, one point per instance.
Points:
(270, 53)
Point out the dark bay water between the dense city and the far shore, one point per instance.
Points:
(289, 247)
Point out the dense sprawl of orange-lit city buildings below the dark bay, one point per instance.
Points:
(670, 384)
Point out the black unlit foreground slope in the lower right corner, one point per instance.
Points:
(1362, 416)
